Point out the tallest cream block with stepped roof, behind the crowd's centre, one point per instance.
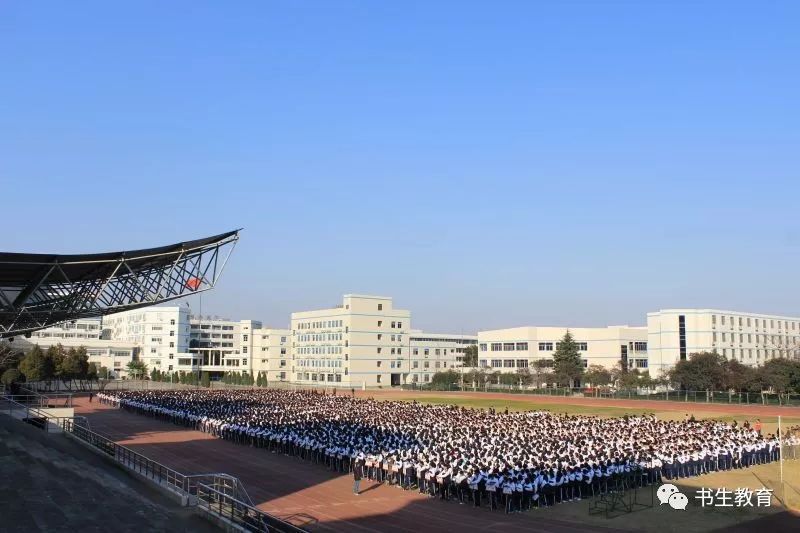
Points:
(362, 342)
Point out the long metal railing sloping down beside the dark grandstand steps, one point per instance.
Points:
(217, 493)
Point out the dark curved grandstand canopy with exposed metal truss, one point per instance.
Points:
(40, 290)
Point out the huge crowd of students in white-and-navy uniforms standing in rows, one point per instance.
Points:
(476, 456)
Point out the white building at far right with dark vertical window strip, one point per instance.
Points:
(750, 338)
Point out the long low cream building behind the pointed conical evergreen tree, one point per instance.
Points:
(507, 350)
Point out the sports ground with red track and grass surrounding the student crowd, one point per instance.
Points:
(318, 499)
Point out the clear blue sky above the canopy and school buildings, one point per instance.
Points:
(488, 164)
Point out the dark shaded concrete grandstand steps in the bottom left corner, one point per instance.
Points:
(50, 484)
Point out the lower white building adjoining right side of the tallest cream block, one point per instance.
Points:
(435, 352)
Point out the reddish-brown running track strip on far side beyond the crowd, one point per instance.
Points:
(636, 405)
